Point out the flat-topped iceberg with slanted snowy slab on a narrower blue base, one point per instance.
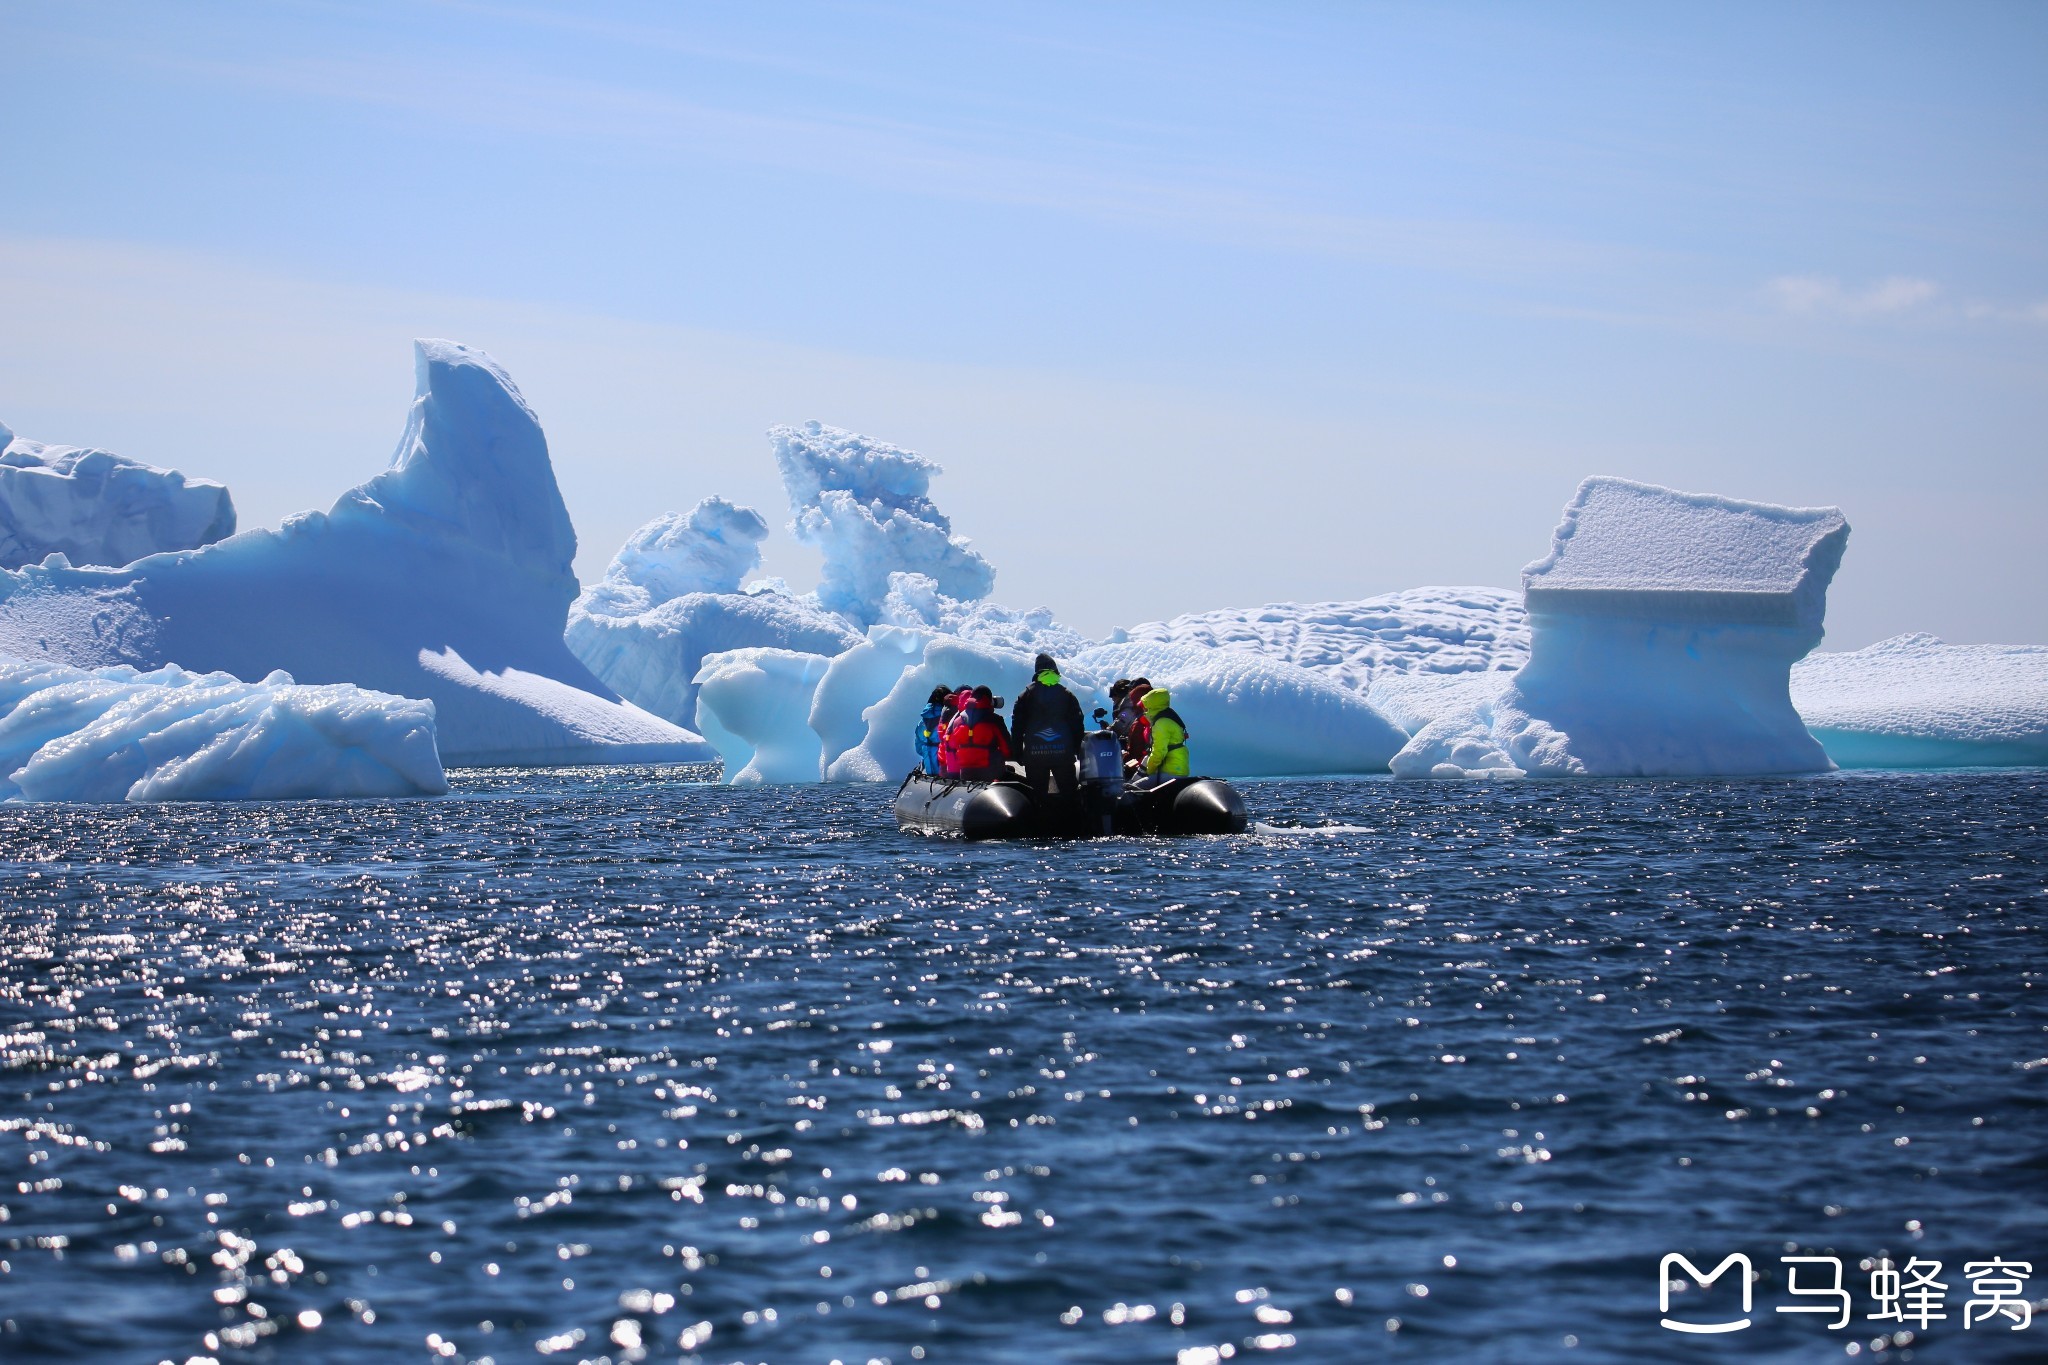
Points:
(1664, 629)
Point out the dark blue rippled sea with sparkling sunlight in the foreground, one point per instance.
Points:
(611, 1065)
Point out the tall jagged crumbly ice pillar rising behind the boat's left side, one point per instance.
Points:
(867, 507)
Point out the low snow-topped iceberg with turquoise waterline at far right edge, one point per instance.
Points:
(1918, 703)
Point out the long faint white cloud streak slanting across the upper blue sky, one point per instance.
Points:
(1101, 179)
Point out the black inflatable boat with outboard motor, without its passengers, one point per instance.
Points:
(1105, 805)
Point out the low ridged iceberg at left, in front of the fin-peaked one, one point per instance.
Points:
(122, 734)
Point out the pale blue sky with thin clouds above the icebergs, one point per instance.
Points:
(1199, 306)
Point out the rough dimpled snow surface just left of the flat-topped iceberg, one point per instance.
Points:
(1355, 644)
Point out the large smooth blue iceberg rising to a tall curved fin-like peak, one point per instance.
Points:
(443, 578)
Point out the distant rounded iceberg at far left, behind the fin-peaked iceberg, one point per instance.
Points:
(97, 509)
